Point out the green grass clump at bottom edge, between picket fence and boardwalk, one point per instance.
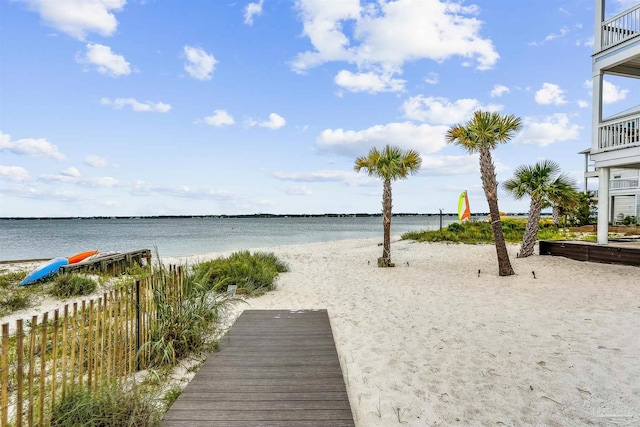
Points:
(109, 405)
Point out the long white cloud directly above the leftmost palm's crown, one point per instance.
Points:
(422, 138)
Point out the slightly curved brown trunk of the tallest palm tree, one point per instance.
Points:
(490, 186)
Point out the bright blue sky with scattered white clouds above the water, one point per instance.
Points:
(157, 107)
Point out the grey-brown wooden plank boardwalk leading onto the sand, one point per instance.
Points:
(276, 368)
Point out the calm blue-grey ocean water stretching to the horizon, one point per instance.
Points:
(34, 239)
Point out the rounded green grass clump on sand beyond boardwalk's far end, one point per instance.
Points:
(253, 274)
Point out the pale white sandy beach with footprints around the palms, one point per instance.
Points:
(441, 340)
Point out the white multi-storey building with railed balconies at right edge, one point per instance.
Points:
(615, 146)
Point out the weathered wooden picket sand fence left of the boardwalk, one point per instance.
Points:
(83, 344)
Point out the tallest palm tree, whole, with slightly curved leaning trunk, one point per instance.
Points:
(480, 135)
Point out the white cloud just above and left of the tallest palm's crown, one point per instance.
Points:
(442, 111)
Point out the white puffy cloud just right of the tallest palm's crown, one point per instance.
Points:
(549, 130)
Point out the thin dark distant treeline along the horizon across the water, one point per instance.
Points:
(265, 215)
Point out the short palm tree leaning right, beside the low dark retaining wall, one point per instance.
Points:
(543, 182)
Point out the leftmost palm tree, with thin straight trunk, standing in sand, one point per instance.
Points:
(389, 165)
